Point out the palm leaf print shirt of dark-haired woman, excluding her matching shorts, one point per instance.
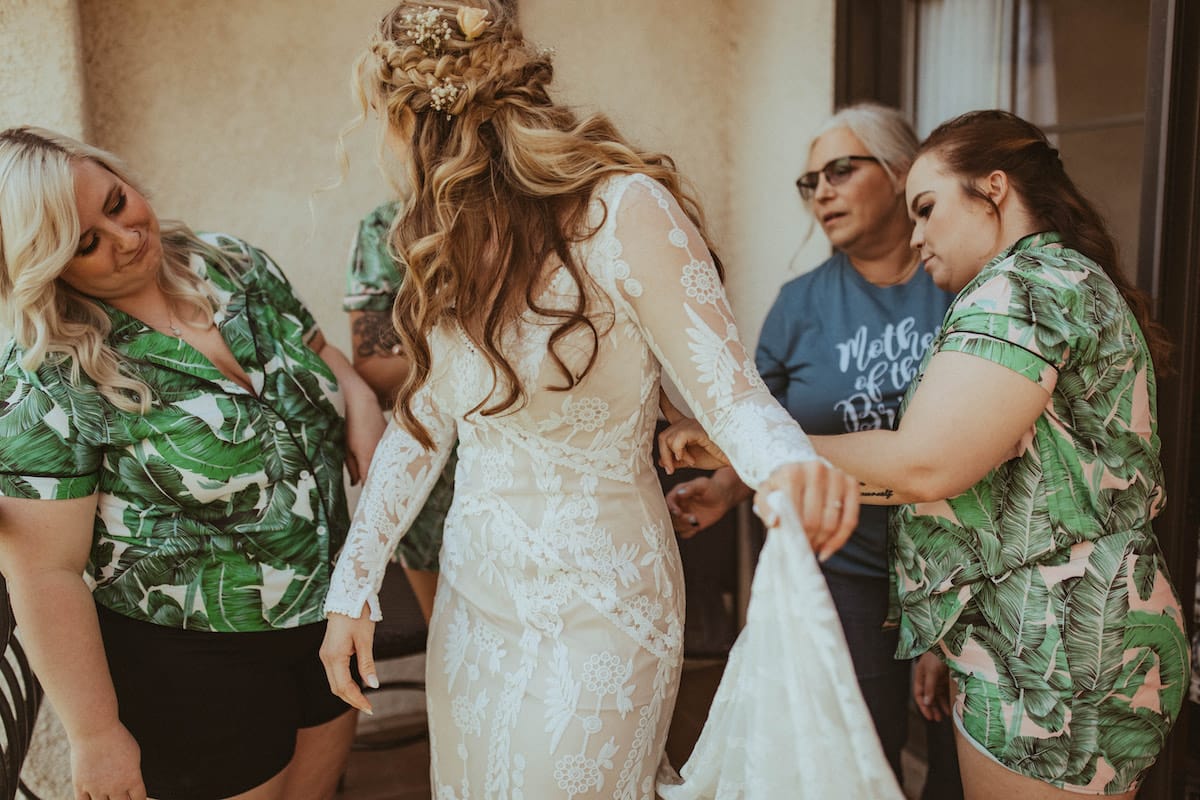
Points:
(1088, 471)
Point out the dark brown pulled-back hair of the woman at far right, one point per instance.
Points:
(974, 145)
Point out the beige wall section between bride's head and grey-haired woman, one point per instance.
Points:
(730, 89)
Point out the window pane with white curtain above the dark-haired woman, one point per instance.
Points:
(1076, 68)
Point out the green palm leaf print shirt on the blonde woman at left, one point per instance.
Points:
(219, 510)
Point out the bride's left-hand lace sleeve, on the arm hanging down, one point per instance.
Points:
(401, 477)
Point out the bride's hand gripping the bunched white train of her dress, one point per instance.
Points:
(826, 502)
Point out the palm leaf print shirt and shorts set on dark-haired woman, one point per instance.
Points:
(1043, 587)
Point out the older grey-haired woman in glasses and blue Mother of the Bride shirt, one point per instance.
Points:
(838, 350)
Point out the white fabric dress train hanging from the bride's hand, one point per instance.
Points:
(789, 720)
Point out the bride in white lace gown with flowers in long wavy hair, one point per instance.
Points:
(555, 273)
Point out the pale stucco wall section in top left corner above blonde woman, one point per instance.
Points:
(41, 80)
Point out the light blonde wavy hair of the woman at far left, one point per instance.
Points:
(40, 236)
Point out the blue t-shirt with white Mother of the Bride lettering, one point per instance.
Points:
(838, 352)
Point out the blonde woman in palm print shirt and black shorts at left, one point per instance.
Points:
(171, 432)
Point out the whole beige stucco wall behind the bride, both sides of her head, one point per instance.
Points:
(230, 112)
